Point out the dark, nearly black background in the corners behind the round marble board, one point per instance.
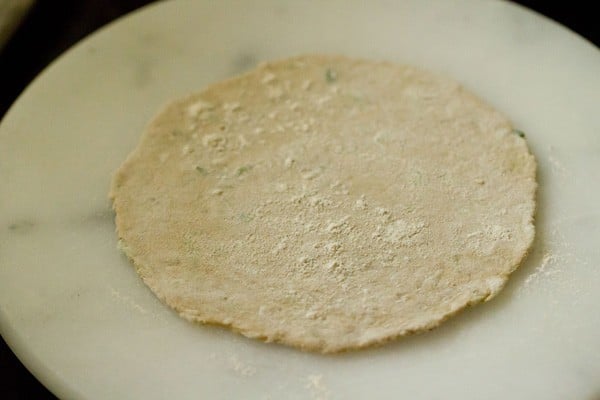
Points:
(53, 26)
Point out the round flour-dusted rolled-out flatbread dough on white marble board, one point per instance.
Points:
(327, 203)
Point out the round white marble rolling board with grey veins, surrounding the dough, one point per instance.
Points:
(78, 316)
